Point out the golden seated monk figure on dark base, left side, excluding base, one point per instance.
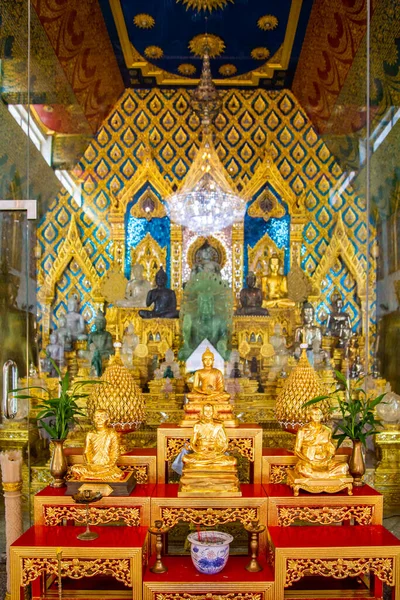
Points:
(101, 452)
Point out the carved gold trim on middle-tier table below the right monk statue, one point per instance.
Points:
(324, 515)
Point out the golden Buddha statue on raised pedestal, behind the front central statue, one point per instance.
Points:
(208, 387)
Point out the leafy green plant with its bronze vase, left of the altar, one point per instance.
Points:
(56, 417)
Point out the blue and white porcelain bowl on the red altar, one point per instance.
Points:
(209, 550)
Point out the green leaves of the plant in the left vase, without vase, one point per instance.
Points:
(64, 409)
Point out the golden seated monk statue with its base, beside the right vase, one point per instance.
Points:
(317, 468)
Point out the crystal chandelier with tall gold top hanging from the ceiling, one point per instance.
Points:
(206, 202)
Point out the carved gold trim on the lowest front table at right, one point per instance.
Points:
(339, 568)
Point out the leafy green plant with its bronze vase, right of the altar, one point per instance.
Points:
(357, 420)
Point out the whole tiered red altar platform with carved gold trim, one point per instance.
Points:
(347, 553)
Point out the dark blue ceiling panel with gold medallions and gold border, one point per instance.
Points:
(252, 42)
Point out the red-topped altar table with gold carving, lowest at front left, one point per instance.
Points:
(118, 551)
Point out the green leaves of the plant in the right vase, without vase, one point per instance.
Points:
(357, 420)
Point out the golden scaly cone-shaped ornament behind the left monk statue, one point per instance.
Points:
(121, 396)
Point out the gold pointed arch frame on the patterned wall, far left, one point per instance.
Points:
(71, 249)
